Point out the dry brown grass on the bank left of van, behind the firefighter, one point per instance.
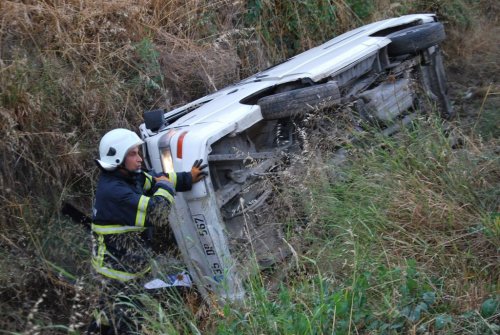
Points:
(71, 70)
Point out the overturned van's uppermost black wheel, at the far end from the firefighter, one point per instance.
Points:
(412, 40)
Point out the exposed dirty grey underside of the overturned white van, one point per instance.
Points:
(386, 90)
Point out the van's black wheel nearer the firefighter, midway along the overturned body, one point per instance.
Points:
(299, 101)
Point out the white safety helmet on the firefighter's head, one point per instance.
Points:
(114, 146)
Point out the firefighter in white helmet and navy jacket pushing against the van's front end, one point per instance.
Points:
(128, 203)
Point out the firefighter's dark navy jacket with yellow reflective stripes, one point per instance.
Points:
(125, 209)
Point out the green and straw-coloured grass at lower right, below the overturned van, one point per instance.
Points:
(385, 254)
